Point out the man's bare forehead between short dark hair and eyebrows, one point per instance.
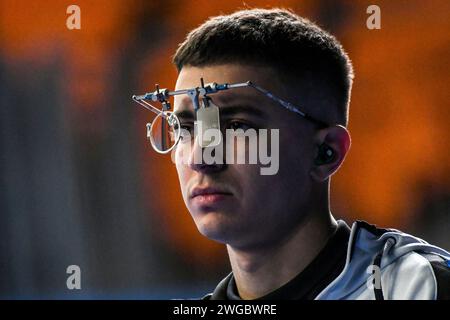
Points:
(189, 77)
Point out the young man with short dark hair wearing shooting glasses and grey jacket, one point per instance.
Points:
(281, 238)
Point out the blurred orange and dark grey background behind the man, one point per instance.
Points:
(80, 185)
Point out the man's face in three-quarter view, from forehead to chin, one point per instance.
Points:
(234, 203)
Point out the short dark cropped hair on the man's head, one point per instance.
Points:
(292, 45)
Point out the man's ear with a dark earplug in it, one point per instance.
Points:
(338, 139)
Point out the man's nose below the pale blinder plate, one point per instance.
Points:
(206, 160)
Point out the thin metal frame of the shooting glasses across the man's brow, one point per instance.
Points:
(197, 93)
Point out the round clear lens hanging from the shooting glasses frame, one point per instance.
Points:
(164, 132)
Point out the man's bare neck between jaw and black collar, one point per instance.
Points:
(259, 271)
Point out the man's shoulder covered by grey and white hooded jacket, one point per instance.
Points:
(390, 264)
